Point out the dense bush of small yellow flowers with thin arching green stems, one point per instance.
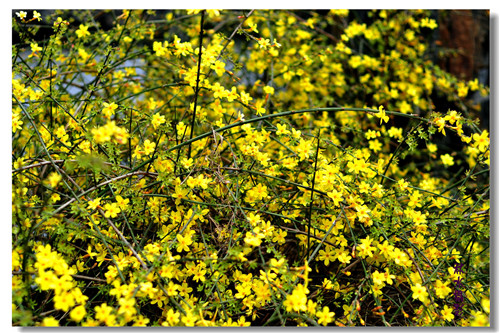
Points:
(273, 168)
